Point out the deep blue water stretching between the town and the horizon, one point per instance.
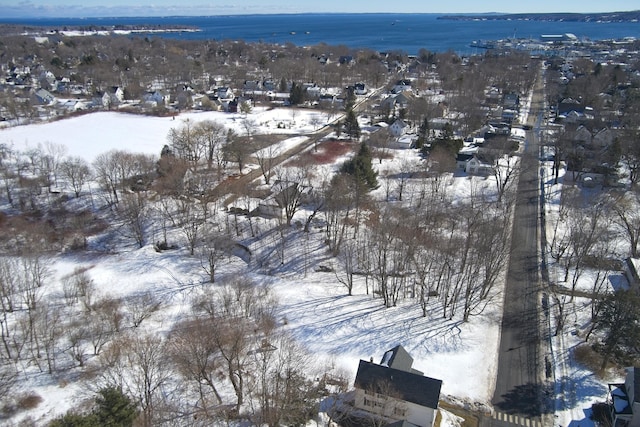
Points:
(381, 32)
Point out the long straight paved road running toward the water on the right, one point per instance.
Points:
(519, 385)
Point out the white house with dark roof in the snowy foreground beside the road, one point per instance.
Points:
(395, 392)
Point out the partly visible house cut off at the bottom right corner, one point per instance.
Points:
(625, 400)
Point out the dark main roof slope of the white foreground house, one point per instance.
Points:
(414, 388)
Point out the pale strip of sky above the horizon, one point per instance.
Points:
(95, 8)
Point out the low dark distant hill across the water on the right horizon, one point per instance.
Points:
(631, 16)
